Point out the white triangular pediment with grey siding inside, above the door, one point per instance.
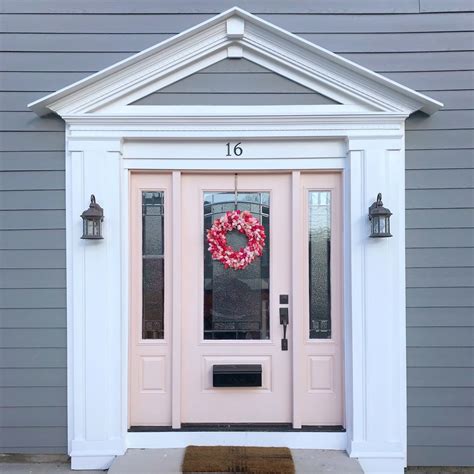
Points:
(241, 39)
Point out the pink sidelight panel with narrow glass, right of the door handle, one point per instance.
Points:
(322, 394)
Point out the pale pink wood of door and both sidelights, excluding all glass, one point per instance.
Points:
(303, 385)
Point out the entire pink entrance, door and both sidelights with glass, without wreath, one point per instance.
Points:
(231, 320)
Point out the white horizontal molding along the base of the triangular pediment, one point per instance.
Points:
(314, 118)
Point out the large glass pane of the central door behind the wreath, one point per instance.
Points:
(236, 302)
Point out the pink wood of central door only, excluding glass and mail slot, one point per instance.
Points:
(201, 402)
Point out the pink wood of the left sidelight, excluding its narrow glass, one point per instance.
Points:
(149, 359)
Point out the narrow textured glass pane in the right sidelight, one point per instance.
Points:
(319, 264)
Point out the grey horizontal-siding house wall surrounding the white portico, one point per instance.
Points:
(425, 44)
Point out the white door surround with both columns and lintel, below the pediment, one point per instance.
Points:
(371, 157)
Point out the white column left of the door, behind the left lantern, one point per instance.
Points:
(94, 308)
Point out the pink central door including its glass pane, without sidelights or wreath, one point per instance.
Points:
(231, 317)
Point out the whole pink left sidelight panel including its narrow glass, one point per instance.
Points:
(150, 300)
